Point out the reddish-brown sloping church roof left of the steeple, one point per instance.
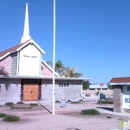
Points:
(12, 49)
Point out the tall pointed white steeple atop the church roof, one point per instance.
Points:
(26, 36)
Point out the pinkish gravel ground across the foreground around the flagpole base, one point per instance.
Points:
(38, 118)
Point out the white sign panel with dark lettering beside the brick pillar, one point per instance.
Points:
(126, 96)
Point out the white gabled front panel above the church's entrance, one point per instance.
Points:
(29, 60)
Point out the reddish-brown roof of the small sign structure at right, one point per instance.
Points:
(120, 79)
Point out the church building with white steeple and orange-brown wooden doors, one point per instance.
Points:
(30, 77)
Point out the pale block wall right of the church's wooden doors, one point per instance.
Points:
(71, 92)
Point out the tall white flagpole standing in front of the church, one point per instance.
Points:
(54, 42)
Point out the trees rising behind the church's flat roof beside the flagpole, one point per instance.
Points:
(65, 71)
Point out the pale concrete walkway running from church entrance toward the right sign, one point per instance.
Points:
(102, 108)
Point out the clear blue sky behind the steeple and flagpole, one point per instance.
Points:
(93, 35)
